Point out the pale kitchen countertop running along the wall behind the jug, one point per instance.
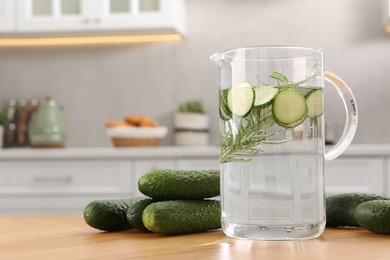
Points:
(158, 152)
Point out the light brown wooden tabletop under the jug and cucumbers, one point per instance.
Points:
(70, 238)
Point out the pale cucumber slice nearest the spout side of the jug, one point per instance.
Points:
(240, 99)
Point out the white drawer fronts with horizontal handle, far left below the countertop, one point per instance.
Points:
(61, 187)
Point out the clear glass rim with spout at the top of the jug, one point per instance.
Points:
(310, 51)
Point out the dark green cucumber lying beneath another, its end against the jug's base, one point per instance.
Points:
(182, 216)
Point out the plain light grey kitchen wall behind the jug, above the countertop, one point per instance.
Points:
(95, 84)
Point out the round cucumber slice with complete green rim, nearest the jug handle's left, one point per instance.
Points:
(289, 108)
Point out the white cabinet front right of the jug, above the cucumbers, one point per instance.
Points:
(357, 174)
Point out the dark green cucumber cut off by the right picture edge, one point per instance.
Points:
(374, 215)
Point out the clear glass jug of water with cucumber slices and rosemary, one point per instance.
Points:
(272, 141)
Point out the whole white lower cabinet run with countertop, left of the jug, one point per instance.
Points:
(64, 181)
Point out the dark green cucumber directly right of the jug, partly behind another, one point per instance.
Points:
(340, 209)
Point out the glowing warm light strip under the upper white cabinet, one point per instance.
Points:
(93, 40)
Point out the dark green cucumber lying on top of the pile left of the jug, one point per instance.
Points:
(170, 184)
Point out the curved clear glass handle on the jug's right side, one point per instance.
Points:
(351, 115)
